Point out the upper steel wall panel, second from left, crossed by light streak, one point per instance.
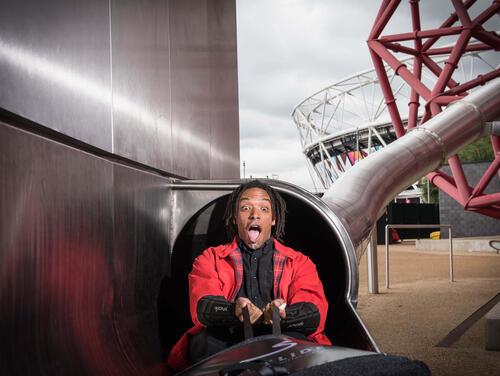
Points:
(141, 81)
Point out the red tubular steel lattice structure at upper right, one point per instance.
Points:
(471, 36)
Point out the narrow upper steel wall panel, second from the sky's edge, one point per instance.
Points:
(189, 55)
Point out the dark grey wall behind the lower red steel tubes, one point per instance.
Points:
(466, 223)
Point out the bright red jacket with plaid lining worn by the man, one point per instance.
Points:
(219, 271)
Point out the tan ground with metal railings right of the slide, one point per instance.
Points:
(422, 306)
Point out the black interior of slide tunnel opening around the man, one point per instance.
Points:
(306, 231)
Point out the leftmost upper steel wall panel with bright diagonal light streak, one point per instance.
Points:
(54, 65)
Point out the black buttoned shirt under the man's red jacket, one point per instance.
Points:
(258, 279)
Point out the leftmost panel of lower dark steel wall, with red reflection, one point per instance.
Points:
(56, 282)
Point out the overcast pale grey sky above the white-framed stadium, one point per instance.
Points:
(288, 50)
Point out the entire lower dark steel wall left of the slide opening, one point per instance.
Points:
(83, 253)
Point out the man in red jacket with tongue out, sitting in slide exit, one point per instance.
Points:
(254, 271)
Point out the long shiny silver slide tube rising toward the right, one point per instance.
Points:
(360, 195)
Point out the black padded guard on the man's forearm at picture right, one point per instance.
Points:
(301, 317)
